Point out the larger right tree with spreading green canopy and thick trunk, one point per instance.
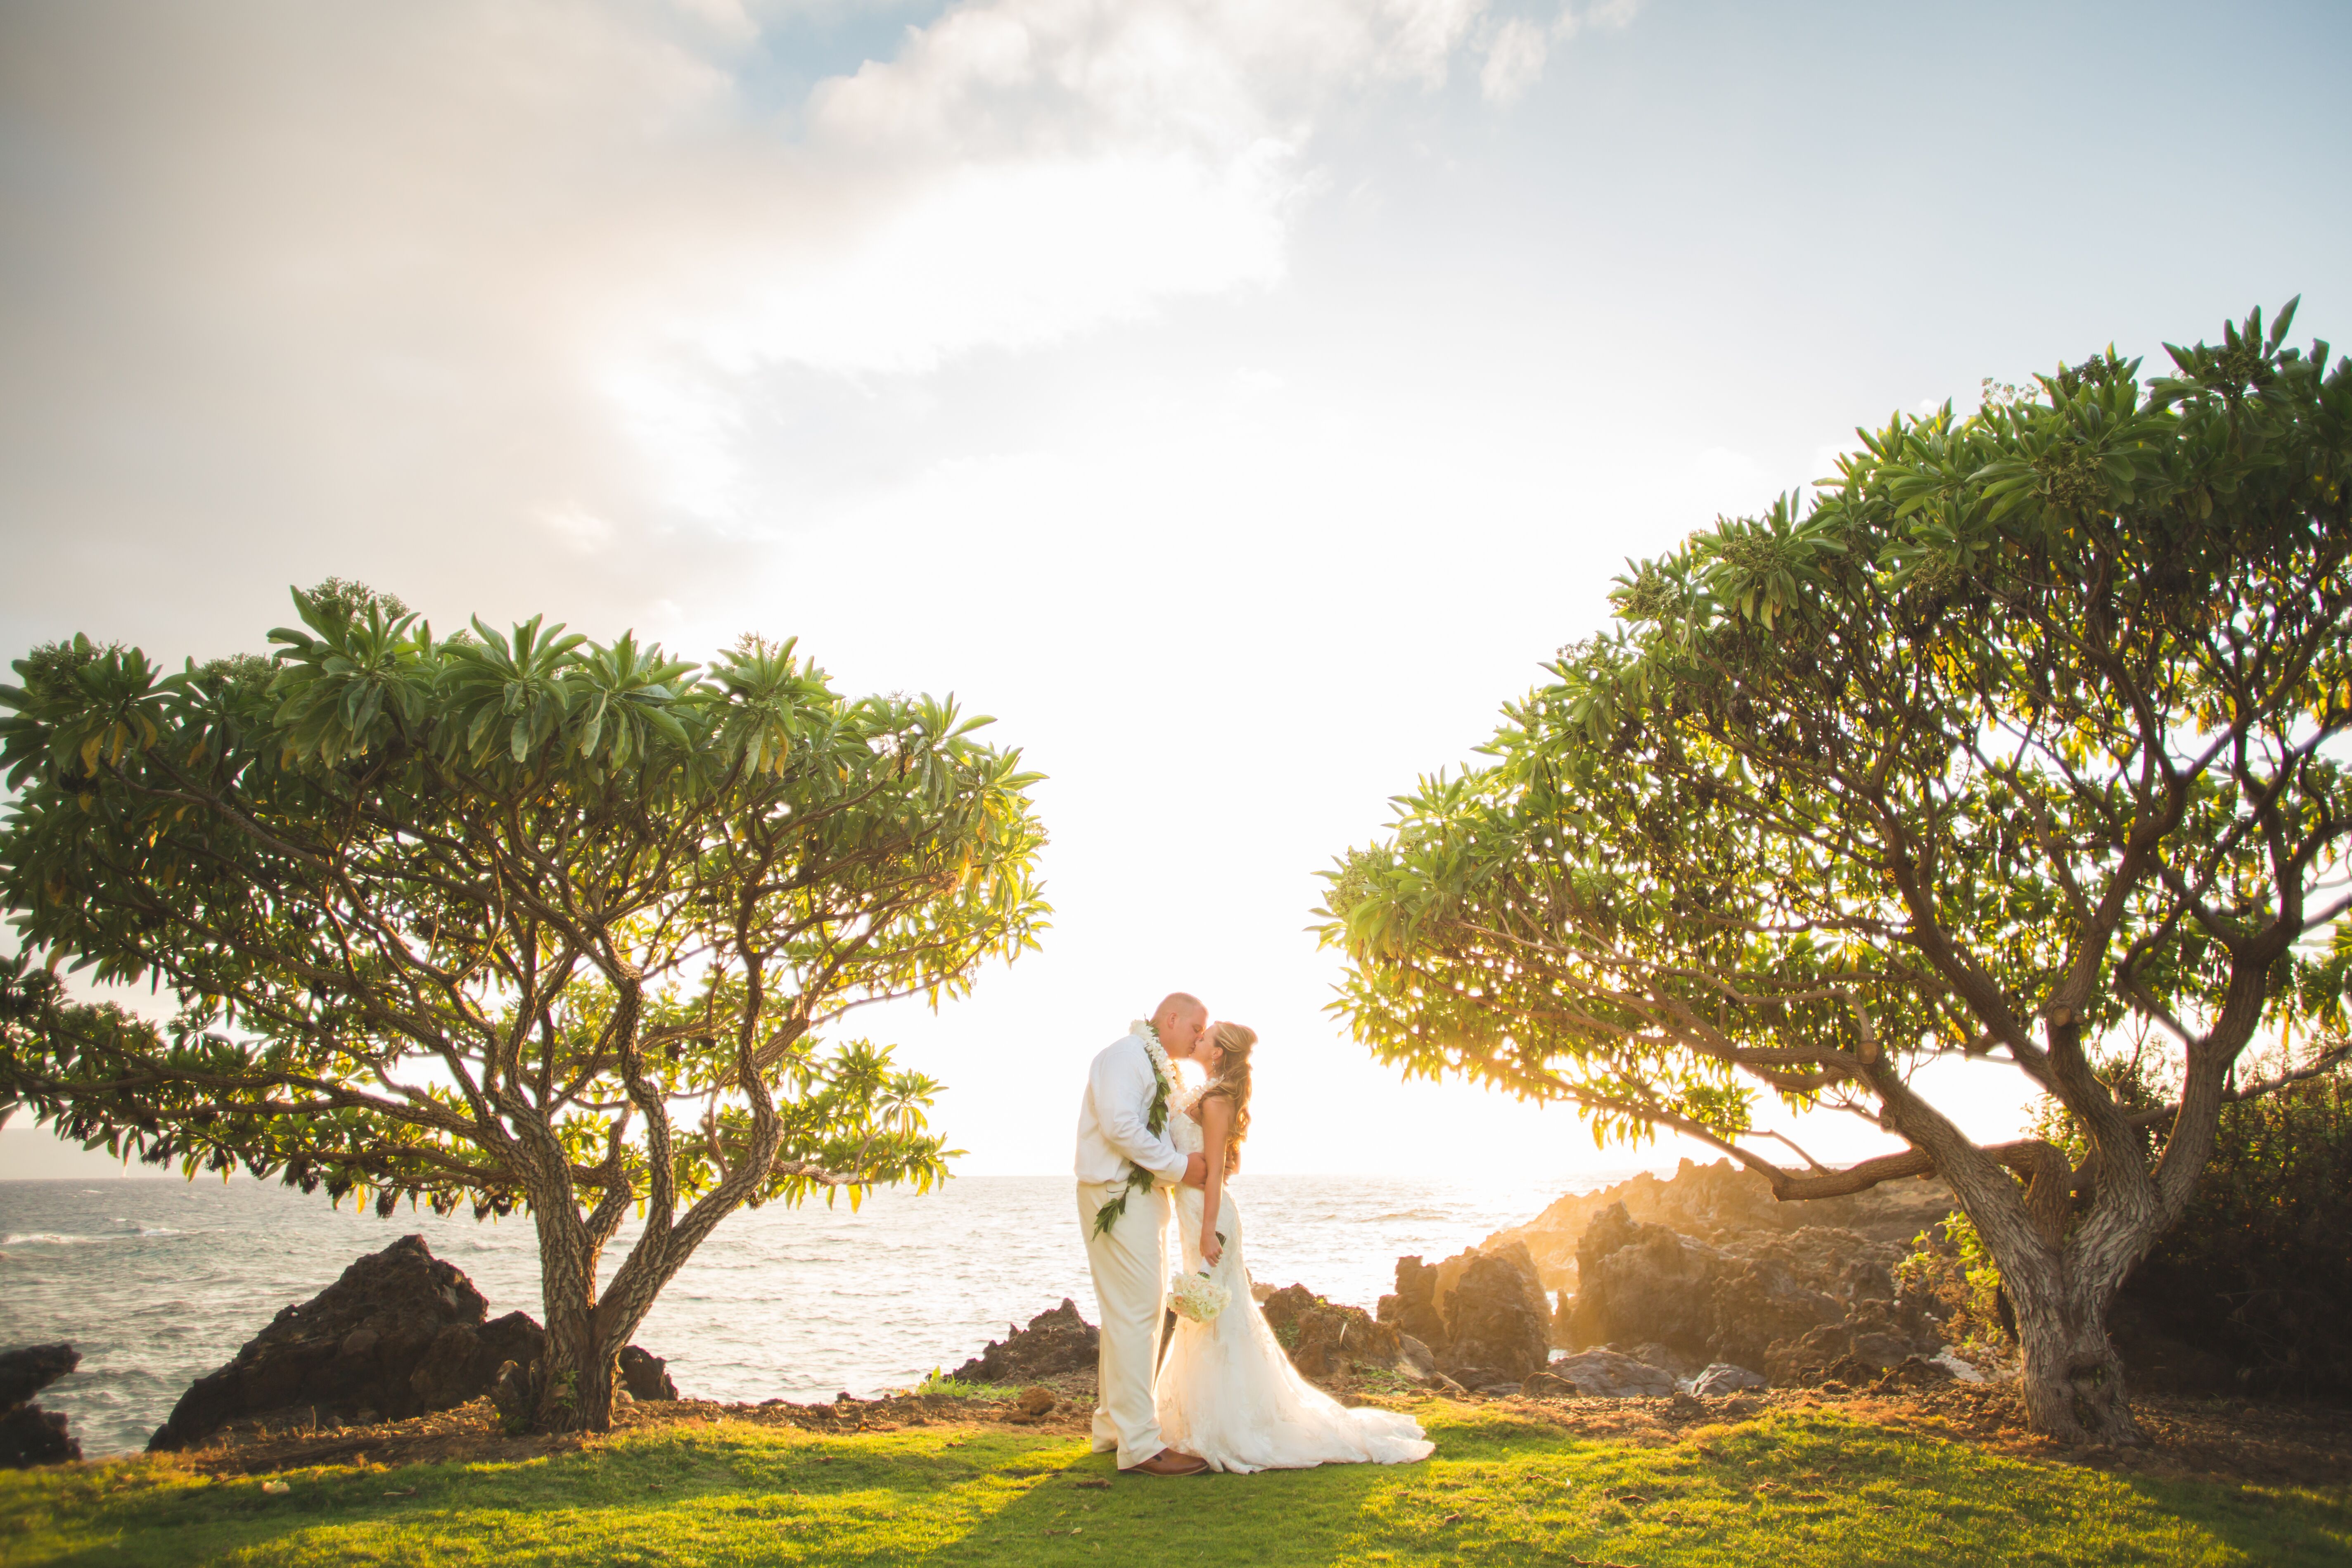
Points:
(2026, 737)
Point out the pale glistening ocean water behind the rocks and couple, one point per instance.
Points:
(159, 1282)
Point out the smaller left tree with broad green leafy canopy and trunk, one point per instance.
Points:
(505, 923)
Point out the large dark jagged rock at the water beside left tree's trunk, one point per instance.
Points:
(396, 1336)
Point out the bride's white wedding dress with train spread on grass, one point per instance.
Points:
(1231, 1395)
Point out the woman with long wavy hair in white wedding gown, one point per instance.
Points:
(1229, 1393)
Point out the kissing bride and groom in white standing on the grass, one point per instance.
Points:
(1227, 1398)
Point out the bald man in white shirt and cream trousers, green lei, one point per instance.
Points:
(1128, 1259)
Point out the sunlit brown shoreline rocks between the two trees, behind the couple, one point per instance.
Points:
(1699, 1285)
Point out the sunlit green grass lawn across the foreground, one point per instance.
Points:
(1791, 1489)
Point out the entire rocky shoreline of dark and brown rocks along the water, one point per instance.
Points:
(1697, 1287)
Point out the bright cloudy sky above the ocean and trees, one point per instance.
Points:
(1236, 401)
